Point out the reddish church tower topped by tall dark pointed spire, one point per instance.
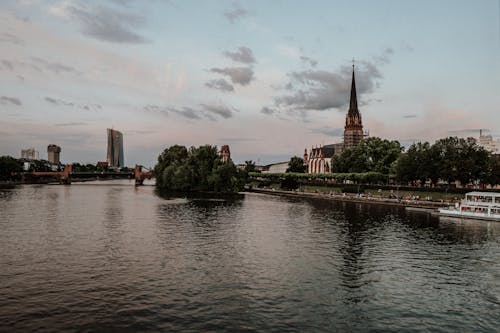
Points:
(353, 130)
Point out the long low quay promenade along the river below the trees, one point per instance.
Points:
(416, 204)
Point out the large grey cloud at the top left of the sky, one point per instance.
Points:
(102, 23)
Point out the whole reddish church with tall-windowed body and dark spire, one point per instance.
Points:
(318, 160)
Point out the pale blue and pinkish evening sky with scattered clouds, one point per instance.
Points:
(268, 78)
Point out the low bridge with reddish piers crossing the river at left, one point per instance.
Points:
(65, 176)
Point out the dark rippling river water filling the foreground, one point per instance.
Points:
(111, 257)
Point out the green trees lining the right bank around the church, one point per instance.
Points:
(448, 160)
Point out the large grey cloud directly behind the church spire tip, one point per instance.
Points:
(322, 90)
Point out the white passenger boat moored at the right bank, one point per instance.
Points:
(476, 205)
